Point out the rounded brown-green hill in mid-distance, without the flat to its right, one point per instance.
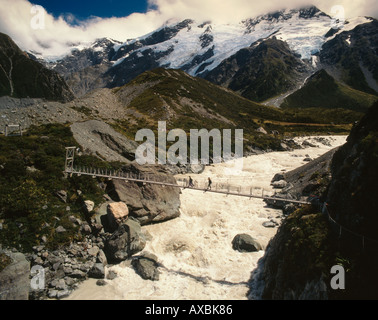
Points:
(191, 103)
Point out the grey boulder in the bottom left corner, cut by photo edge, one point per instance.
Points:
(14, 278)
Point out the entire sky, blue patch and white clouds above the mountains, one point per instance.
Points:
(56, 25)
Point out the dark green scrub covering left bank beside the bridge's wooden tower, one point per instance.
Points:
(31, 173)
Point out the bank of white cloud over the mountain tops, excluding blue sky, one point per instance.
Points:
(55, 37)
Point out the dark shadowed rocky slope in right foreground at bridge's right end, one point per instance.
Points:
(298, 260)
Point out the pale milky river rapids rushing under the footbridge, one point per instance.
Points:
(195, 250)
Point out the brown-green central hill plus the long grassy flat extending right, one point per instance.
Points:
(188, 103)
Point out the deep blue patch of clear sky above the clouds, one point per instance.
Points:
(83, 9)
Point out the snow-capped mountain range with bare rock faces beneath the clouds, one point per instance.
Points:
(194, 47)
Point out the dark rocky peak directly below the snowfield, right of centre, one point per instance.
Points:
(262, 71)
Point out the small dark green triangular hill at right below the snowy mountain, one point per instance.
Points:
(323, 91)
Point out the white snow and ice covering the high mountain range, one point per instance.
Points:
(304, 35)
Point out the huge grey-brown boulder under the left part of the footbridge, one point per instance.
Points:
(148, 203)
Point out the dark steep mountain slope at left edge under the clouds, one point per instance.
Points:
(22, 77)
